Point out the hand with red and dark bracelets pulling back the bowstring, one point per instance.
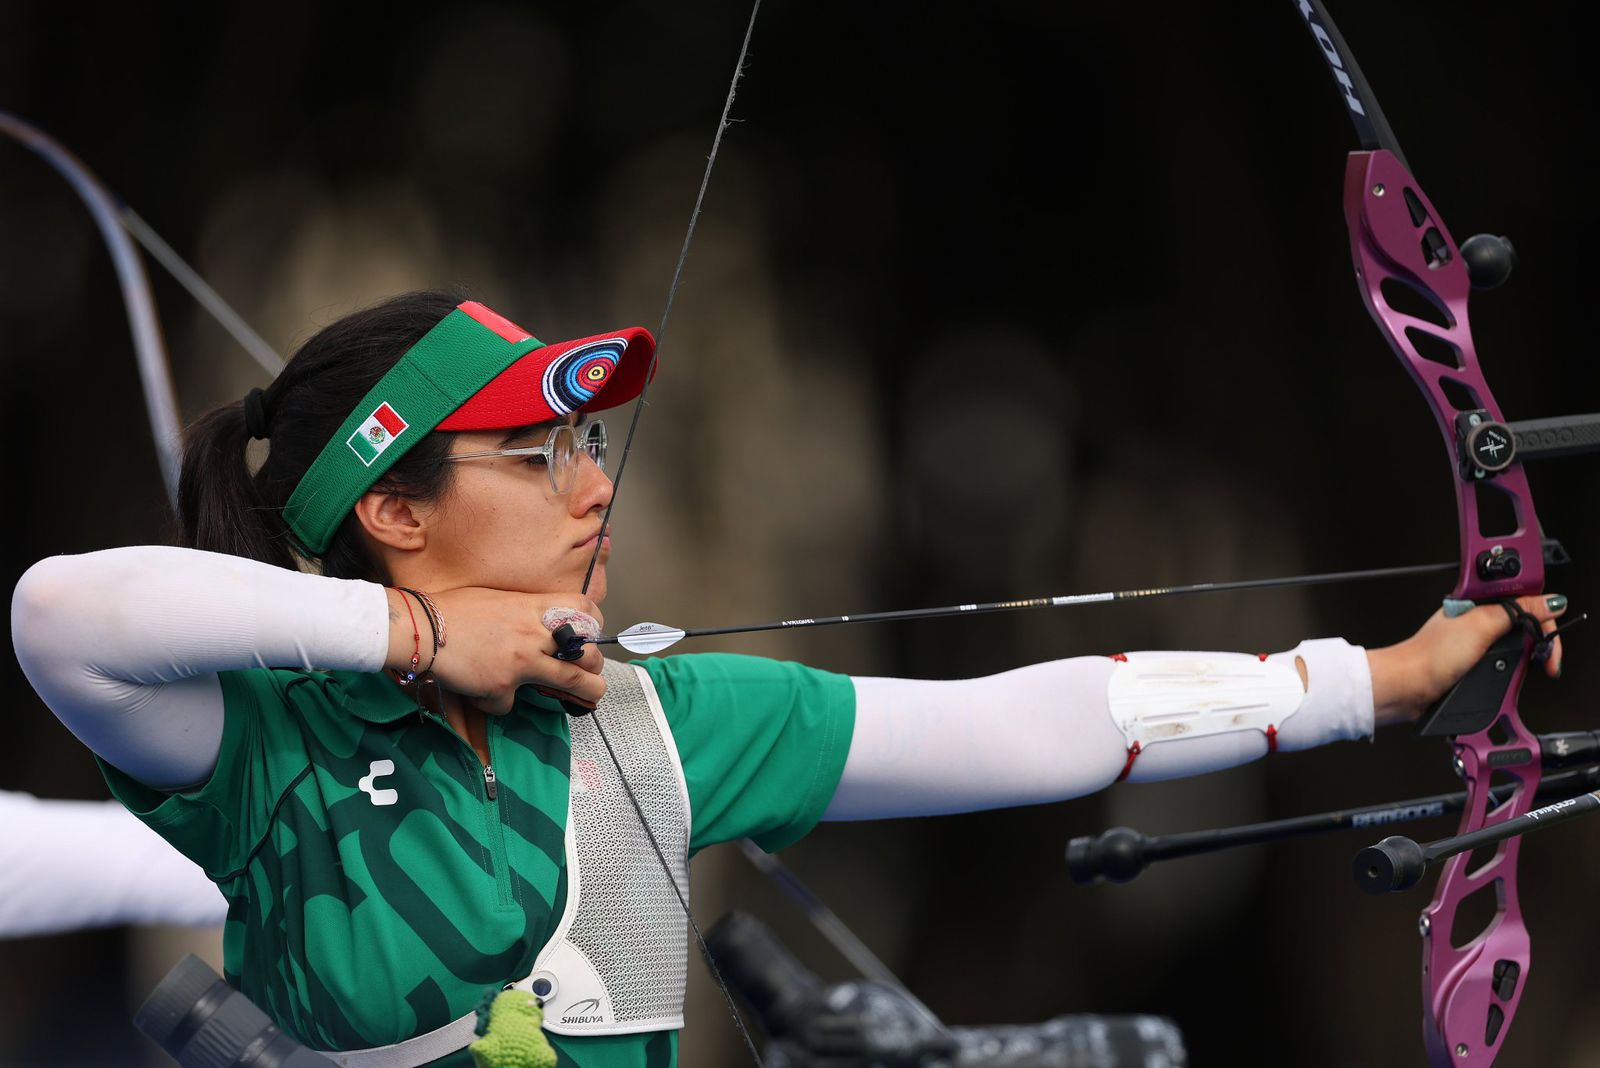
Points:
(498, 642)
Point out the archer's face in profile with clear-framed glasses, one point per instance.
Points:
(503, 527)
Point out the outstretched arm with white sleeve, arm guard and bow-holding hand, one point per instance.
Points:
(1068, 728)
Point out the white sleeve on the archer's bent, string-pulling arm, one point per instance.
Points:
(124, 645)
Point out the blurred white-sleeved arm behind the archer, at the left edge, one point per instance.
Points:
(68, 866)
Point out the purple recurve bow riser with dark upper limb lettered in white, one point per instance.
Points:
(1417, 285)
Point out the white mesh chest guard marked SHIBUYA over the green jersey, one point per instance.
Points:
(618, 962)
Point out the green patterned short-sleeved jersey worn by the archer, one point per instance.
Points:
(382, 877)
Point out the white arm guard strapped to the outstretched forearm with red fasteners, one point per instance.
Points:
(1164, 696)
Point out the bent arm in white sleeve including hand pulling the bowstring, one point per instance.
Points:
(126, 645)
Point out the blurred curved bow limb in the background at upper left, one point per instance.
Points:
(156, 372)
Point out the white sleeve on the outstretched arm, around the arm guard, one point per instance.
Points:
(1044, 733)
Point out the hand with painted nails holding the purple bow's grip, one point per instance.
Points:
(1412, 675)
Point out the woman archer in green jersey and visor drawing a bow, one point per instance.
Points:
(343, 701)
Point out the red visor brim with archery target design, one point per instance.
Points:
(551, 383)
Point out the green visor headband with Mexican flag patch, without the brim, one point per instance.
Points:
(433, 380)
